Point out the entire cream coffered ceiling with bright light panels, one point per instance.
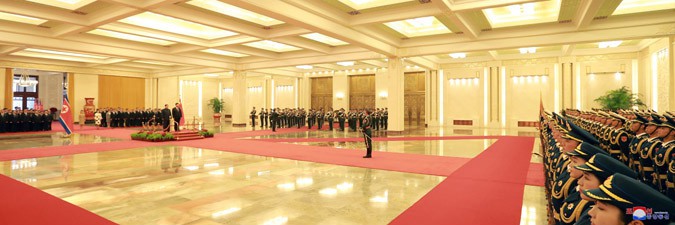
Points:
(181, 37)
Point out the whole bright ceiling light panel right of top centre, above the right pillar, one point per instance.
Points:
(416, 27)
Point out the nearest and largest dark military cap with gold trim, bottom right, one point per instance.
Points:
(625, 193)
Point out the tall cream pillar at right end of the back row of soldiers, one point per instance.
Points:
(395, 94)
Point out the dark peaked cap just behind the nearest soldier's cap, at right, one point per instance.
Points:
(603, 166)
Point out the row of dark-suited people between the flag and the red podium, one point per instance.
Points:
(118, 117)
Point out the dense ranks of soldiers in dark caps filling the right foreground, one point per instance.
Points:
(589, 175)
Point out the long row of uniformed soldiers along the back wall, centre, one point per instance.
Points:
(299, 117)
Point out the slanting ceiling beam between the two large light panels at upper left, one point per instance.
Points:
(221, 22)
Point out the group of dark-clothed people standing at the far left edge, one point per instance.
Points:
(25, 120)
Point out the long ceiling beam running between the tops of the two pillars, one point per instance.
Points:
(312, 60)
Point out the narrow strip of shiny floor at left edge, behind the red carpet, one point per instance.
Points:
(19, 141)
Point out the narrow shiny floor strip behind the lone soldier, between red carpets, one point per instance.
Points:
(451, 148)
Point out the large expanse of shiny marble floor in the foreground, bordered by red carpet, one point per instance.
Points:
(182, 185)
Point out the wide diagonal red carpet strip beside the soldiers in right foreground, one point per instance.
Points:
(486, 190)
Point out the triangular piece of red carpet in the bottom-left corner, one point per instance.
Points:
(28, 205)
